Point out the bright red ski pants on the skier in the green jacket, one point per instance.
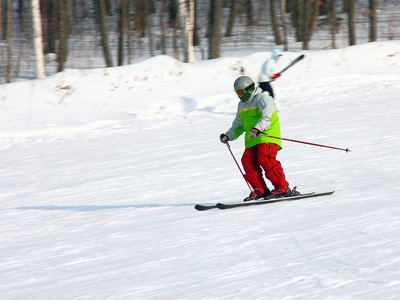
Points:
(263, 156)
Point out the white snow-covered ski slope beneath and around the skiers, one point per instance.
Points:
(101, 170)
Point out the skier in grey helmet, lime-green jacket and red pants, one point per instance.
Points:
(257, 114)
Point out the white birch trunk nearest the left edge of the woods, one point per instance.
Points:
(37, 39)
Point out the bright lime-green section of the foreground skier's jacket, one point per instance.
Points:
(250, 117)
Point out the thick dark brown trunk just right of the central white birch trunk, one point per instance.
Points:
(214, 44)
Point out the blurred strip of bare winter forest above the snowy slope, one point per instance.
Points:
(108, 33)
